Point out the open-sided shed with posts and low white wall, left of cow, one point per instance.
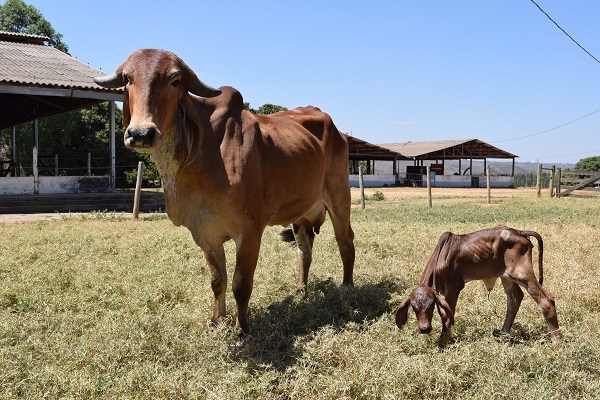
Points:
(37, 81)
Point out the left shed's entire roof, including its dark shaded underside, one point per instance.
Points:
(38, 80)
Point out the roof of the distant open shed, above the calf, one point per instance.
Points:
(448, 150)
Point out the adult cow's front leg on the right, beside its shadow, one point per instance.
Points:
(247, 249)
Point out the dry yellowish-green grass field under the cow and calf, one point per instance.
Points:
(100, 306)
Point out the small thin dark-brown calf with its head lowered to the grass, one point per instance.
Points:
(486, 255)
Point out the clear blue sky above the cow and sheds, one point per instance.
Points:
(386, 71)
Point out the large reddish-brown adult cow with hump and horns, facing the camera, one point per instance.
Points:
(228, 173)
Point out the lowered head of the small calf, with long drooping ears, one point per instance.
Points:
(423, 299)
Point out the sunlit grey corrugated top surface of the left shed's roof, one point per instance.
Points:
(43, 66)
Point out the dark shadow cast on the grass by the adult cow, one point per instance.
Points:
(281, 331)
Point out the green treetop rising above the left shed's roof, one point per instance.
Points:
(16, 16)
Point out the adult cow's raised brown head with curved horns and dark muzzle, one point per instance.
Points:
(156, 83)
